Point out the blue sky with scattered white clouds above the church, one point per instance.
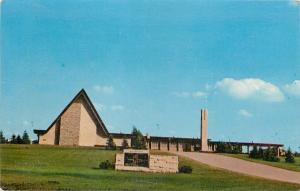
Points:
(155, 64)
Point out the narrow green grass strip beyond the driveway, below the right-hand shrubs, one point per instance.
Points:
(282, 164)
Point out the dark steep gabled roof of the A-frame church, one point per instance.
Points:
(90, 105)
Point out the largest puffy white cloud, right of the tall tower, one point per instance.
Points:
(250, 89)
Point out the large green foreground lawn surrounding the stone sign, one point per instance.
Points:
(35, 167)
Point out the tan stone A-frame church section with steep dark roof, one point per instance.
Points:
(79, 124)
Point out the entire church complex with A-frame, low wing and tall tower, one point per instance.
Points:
(79, 124)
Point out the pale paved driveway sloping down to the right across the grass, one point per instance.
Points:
(244, 167)
